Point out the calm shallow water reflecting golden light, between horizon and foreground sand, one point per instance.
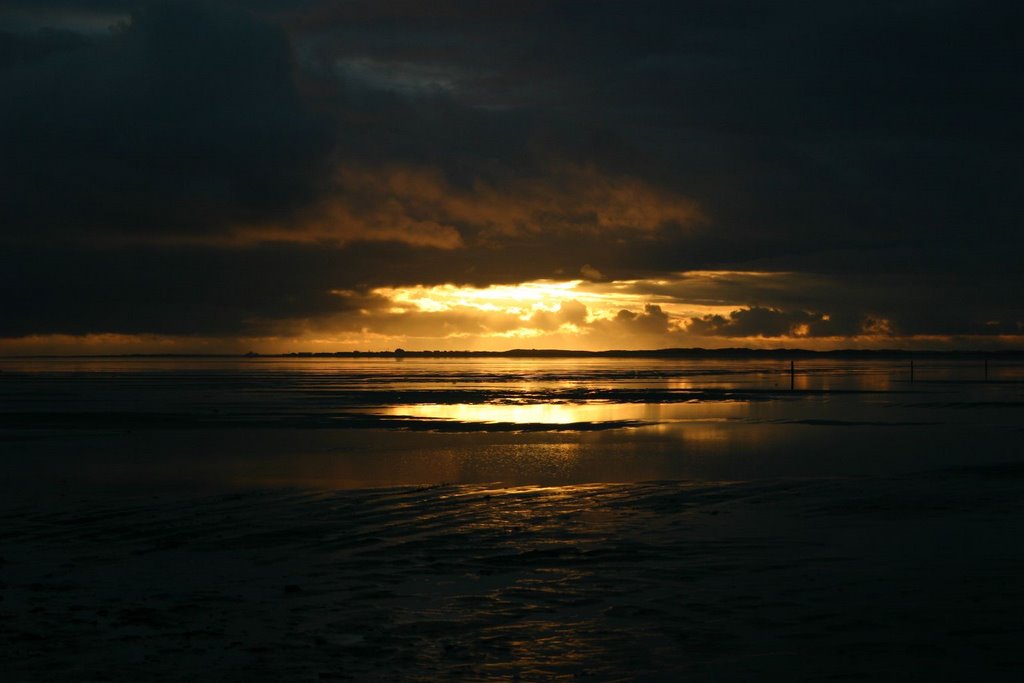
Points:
(68, 424)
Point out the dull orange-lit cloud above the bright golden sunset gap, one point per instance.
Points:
(418, 205)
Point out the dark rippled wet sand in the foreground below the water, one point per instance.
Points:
(910, 578)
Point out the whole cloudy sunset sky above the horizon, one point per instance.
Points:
(304, 176)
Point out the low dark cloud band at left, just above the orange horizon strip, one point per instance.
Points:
(174, 291)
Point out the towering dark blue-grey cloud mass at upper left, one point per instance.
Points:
(185, 121)
